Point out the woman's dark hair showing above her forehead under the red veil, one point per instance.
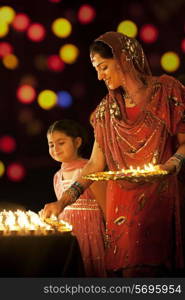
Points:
(101, 48)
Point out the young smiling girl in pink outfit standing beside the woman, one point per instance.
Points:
(66, 141)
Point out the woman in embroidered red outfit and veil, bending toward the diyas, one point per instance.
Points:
(137, 123)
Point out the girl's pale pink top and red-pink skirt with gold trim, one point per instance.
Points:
(86, 218)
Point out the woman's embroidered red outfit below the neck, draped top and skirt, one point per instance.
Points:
(143, 223)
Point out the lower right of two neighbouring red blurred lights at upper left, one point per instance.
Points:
(36, 32)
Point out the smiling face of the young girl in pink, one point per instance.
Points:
(62, 147)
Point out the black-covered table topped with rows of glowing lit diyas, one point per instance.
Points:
(31, 247)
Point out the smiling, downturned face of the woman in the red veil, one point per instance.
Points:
(107, 70)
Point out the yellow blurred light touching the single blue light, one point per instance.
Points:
(47, 99)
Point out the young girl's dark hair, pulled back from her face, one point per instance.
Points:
(70, 128)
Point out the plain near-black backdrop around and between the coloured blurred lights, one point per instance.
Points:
(36, 188)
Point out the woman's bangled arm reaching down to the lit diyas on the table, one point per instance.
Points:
(96, 163)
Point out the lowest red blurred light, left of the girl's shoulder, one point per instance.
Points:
(16, 172)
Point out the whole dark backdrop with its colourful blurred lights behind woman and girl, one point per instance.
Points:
(46, 75)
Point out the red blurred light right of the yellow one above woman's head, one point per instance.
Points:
(149, 33)
